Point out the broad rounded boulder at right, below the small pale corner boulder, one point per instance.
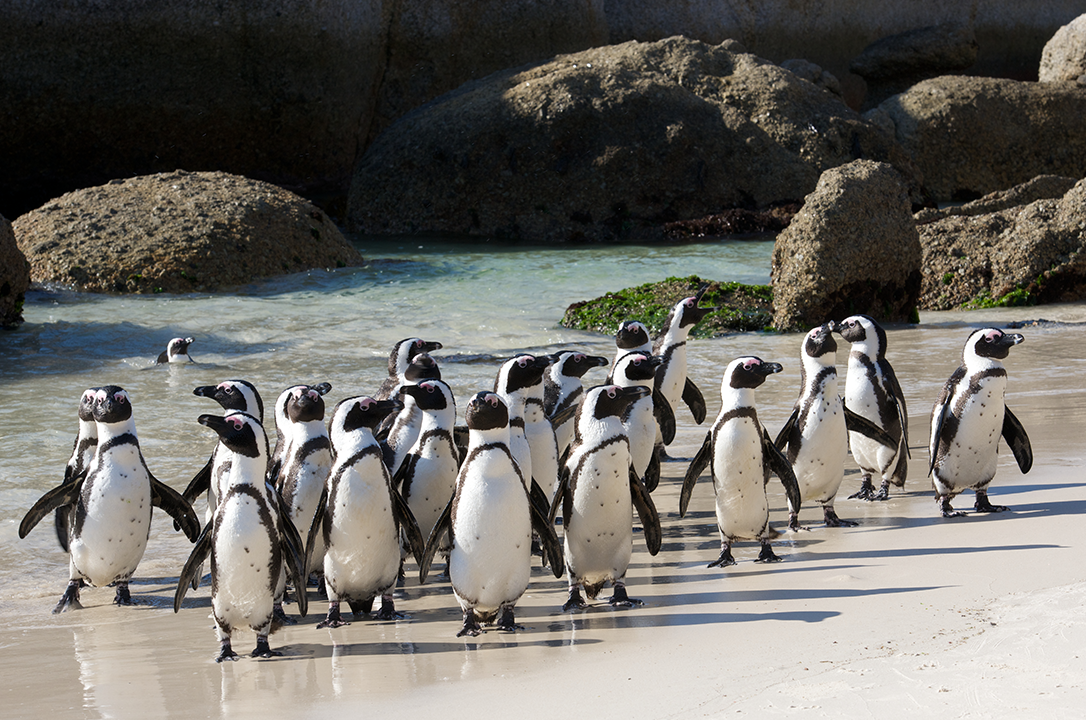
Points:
(973, 136)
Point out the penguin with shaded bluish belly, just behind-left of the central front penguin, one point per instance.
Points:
(427, 477)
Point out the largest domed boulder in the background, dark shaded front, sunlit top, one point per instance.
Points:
(608, 145)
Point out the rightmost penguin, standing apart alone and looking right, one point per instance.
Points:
(968, 421)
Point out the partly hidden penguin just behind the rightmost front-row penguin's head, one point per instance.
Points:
(639, 421)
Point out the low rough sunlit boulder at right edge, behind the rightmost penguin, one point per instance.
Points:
(1032, 254)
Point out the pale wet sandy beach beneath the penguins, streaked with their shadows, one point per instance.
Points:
(907, 615)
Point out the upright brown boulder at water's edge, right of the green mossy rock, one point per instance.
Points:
(853, 248)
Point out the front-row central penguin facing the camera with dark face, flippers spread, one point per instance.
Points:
(490, 522)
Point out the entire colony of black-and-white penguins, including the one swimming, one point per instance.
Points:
(346, 501)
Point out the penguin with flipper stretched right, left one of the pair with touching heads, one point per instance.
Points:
(815, 438)
